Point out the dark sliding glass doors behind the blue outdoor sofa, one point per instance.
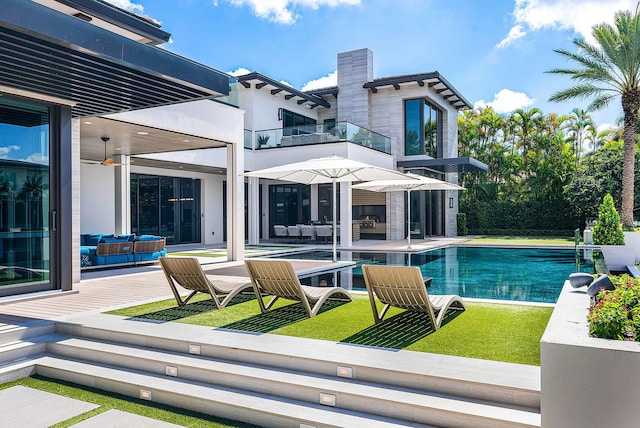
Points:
(166, 206)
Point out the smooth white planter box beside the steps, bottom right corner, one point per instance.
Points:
(586, 382)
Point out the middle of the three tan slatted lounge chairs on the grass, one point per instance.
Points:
(278, 279)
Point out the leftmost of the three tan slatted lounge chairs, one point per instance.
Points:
(187, 272)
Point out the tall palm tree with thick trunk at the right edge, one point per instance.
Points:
(605, 70)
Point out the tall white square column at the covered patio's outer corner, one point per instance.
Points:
(235, 198)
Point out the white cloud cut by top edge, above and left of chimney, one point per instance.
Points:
(283, 11)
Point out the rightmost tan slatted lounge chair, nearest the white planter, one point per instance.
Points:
(404, 287)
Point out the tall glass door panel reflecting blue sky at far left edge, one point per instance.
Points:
(24, 196)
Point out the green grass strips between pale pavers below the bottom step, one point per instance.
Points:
(109, 400)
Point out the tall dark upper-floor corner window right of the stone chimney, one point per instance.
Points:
(423, 129)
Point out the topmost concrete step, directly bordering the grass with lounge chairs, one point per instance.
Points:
(504, 383)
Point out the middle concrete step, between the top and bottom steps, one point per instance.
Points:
(383, 400)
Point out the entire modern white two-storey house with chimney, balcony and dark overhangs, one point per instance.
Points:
(103, 131)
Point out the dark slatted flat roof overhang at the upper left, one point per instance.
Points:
(43, 51)
